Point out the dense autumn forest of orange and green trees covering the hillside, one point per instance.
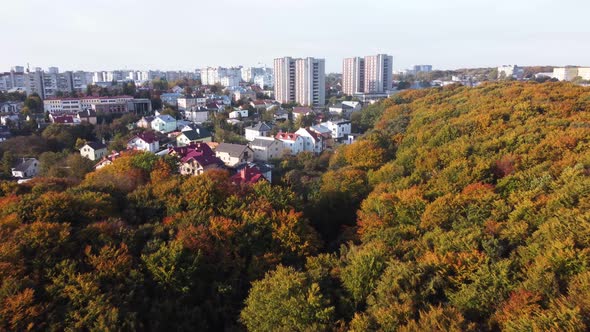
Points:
(459, 209)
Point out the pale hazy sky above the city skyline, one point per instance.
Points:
(185, 35)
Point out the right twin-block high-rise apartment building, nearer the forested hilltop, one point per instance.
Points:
(371, 74)
